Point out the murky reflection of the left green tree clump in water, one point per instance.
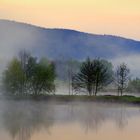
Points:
(22, 120)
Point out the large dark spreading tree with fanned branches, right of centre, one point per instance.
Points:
(93, 76)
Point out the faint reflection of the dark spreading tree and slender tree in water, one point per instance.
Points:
(92, 116)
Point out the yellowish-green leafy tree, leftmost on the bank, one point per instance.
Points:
(13, 77)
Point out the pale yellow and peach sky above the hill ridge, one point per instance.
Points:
(116, 17)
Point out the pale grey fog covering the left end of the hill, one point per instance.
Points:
(13, 38)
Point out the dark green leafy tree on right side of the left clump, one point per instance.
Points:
(42, 79)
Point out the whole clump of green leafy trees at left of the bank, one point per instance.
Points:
(27, 76)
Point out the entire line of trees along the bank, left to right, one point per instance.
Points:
(28, 75)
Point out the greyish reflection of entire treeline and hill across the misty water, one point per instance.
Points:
(23, 119)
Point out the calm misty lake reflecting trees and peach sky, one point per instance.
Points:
(32, 120)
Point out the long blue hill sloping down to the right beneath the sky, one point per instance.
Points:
(62, 43)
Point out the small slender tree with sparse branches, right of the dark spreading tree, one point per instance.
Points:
(122, 77)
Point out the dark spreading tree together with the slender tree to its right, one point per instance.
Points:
(96, 74)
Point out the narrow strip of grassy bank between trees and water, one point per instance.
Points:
(69, 98)
